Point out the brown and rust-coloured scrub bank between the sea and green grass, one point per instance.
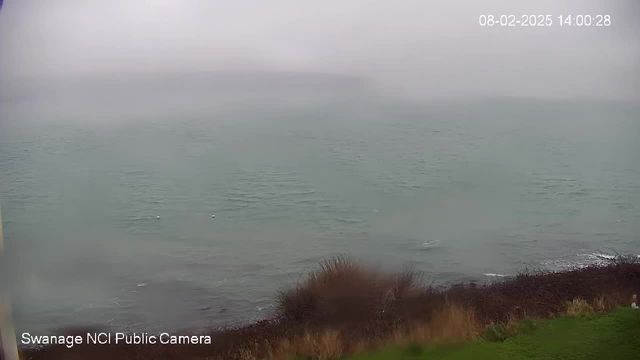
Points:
(344, 308)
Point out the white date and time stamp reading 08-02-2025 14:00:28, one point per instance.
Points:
(505, 20)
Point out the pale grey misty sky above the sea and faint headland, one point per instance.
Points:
(413, 47)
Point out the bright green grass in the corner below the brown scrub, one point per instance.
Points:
(614, 336)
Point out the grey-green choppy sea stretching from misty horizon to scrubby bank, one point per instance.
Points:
(466, 190)
